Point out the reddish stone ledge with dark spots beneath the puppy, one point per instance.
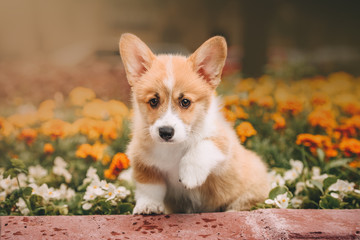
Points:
(259, 224)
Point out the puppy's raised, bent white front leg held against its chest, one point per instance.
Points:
(198, 162)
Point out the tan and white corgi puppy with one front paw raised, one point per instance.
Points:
(186, 158)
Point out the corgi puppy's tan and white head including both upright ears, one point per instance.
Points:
(172, 93)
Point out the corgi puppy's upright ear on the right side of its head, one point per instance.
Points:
(209, 59)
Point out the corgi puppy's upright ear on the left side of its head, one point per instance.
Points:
(136, 56)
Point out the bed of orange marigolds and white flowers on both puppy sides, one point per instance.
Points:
(65, 157)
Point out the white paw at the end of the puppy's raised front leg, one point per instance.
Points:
(192, 176)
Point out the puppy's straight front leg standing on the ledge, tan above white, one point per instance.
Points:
(150, 190)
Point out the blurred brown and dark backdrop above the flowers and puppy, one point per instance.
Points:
(49, 47)
